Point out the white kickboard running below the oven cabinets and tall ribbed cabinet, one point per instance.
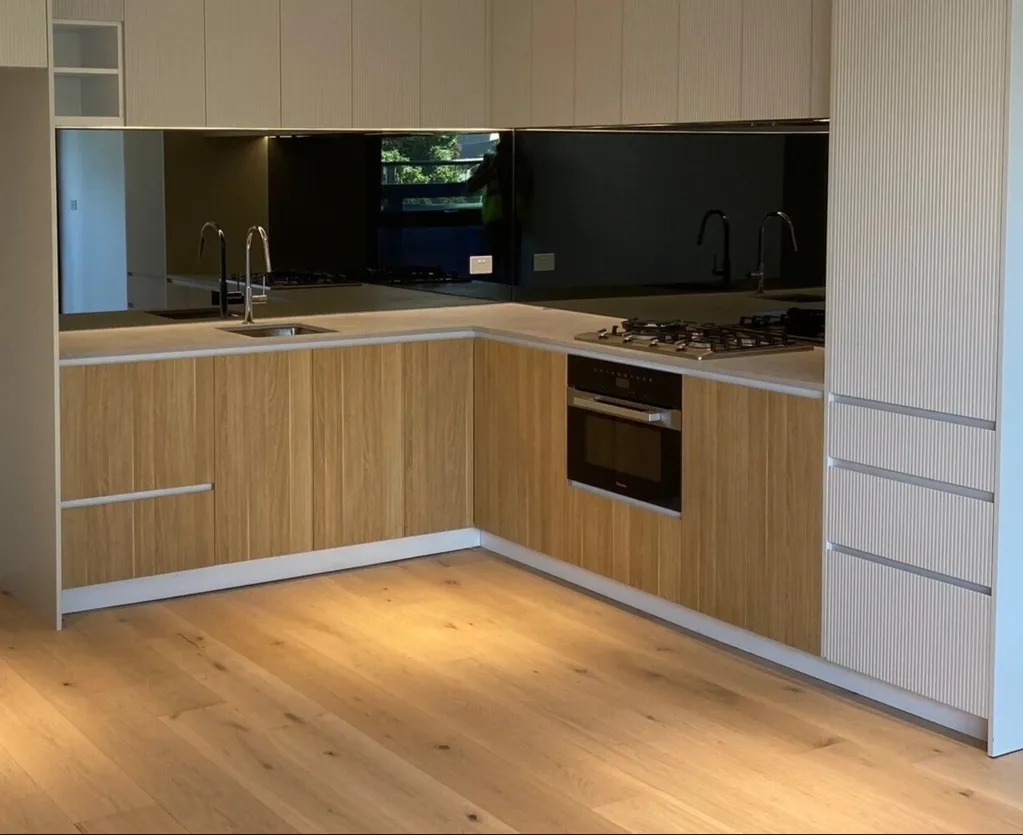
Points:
(780, 654)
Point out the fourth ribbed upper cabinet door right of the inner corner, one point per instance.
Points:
(650, 62)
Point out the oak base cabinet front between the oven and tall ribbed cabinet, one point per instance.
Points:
(752, 509)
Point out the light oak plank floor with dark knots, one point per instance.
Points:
(449, 694)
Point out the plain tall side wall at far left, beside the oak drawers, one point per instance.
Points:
(30, 526)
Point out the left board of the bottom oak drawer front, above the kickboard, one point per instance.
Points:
(98, 545)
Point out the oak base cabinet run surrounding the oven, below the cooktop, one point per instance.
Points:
(747, 549)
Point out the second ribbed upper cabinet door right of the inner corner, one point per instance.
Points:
(554, 63)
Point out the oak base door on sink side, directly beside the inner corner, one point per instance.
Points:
(437, 416)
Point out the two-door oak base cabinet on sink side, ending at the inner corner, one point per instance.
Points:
(392, 429)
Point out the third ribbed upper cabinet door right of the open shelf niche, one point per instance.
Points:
(317, 64)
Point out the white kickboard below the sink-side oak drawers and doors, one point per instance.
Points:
(214, 579)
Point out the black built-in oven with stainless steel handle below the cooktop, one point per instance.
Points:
(625, 431)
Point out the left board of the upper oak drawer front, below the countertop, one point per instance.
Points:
(97, 431)
